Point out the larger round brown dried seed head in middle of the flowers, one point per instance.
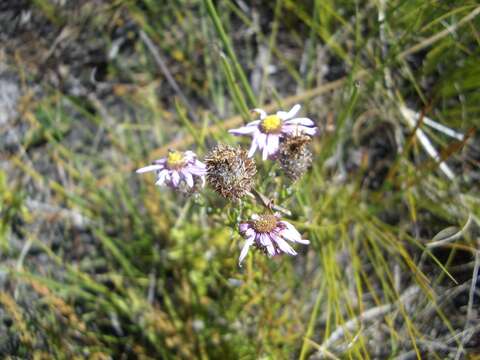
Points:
(229, 171)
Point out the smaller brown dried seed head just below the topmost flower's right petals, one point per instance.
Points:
(294, 155)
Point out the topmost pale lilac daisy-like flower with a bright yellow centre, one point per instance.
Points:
(267, 131)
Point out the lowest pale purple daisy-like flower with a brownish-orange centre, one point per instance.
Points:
(269, 234)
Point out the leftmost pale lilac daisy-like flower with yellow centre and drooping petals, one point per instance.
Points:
(177, 170)
